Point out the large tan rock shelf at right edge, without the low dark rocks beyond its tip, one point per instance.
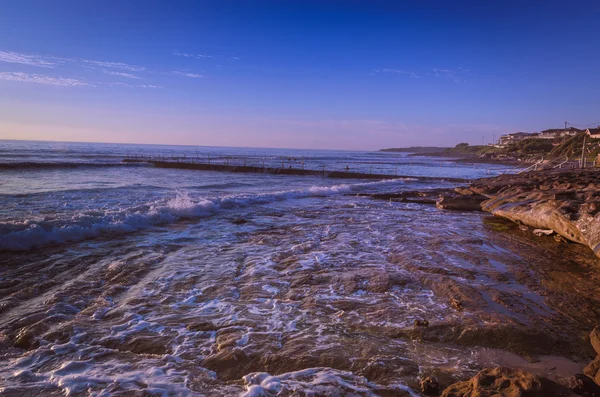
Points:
(566, 202)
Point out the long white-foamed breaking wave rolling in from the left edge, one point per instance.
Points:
(29, 233)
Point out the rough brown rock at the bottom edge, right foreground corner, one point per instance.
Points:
(506, 382)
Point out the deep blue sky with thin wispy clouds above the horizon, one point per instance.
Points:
(305, 74)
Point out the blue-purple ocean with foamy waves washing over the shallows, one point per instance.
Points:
(126, 279)
